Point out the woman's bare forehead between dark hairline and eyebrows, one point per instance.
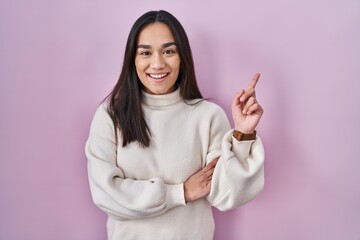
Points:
(155, 33)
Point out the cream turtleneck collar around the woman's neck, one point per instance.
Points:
(161, 100)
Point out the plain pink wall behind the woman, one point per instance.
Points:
(59, 59)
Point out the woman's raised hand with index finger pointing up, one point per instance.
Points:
(246, 110)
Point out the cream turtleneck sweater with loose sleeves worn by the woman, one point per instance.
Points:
(141, 189)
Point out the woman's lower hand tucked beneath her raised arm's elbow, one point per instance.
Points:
(199, 184)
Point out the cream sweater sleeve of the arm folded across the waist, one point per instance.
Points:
(118, 196)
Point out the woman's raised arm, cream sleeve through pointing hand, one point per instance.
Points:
(239, 173)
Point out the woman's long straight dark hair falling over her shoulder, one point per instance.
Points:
(125, 99)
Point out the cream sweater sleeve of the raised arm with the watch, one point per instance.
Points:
(239, 173)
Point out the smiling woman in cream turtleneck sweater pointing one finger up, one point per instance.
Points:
(159, 155)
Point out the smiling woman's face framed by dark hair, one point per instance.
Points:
(157, 61)
